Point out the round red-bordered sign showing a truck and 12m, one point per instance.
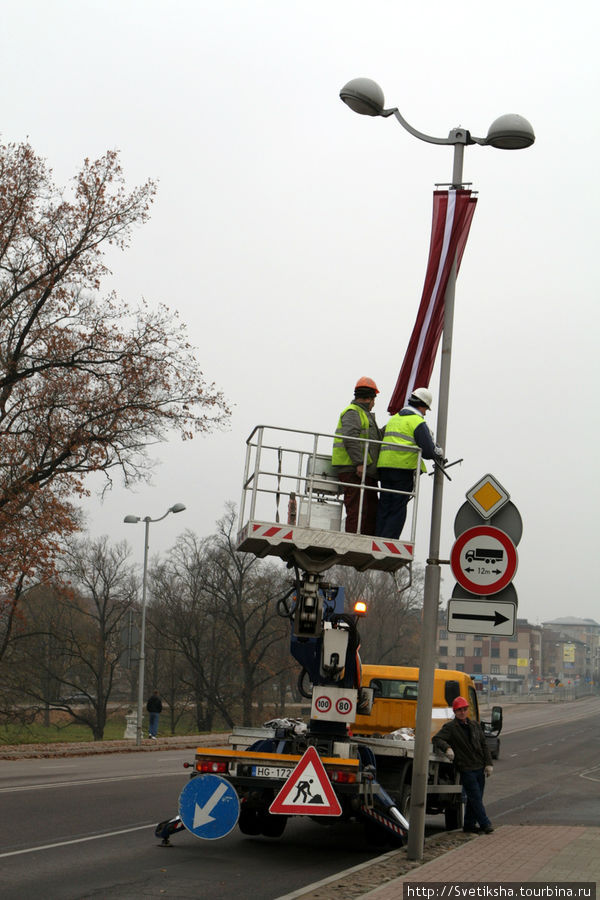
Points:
(483, 560)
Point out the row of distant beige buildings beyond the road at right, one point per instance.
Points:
(536, 657)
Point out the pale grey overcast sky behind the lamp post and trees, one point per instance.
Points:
(292, 235)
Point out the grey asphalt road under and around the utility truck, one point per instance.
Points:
(83, 827)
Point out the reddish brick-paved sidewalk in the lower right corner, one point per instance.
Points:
(513, 853)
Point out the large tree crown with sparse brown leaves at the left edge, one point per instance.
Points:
(86, 383)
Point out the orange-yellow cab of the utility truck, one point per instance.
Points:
(395, 692)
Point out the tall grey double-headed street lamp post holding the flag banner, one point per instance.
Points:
(509, 132)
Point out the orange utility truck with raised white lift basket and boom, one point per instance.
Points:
(354, 756)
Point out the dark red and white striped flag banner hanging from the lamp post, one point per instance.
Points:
(452, 214)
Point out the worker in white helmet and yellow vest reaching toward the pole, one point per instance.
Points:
(398, 461)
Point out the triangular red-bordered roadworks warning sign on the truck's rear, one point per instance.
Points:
(308, 790)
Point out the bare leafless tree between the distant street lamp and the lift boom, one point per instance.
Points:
(216, 607)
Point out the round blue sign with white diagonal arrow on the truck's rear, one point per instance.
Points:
(209, 807)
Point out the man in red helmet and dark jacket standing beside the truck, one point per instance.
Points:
(463, 742)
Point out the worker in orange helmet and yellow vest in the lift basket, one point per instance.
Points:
(357, 420)
